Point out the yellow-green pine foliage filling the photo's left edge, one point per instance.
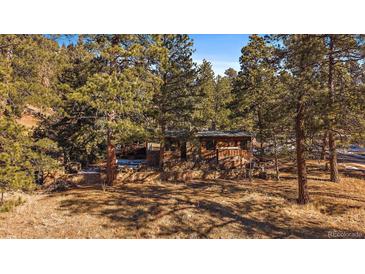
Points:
(27, 69)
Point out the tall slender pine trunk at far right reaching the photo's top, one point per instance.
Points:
(331, 139)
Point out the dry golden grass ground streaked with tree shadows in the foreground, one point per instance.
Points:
(195, 209)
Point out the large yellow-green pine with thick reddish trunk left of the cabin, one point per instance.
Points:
(122, 88)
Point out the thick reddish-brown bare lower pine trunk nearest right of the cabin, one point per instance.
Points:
(303, 196)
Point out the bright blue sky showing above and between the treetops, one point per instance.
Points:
(222, 50)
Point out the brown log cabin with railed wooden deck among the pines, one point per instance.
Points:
(226, 149)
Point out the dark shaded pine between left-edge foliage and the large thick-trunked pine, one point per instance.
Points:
(72, 124)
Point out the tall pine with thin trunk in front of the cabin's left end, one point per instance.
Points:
(174, 101)
